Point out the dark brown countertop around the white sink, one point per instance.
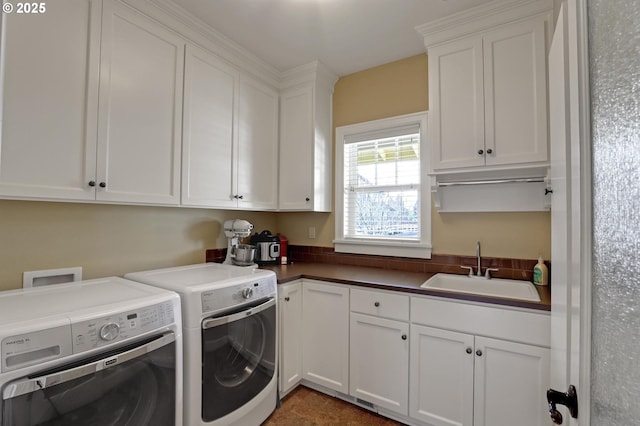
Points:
(387, 279)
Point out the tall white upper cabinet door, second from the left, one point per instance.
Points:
(140, 118)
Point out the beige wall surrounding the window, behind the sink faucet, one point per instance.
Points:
(401, 88)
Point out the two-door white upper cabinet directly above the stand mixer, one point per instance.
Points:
(230, 137)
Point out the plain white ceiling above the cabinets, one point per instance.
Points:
(345, 35)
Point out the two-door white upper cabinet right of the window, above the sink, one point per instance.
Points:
(488, 98)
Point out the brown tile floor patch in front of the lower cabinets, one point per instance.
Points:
(307, 407)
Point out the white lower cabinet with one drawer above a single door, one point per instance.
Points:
(379, 349)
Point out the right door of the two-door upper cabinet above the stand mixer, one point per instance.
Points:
(257, 146)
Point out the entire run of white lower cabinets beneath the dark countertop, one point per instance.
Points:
(420, 360)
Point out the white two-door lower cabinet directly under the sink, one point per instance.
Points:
(461, 378)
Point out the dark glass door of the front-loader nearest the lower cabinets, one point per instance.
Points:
(238, 358)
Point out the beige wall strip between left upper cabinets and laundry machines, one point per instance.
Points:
(107, 239)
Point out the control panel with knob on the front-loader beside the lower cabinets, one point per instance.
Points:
(223, 298)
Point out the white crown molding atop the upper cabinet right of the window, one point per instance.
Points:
(480, 18)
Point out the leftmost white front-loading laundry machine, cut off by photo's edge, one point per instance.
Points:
(96, 352)
